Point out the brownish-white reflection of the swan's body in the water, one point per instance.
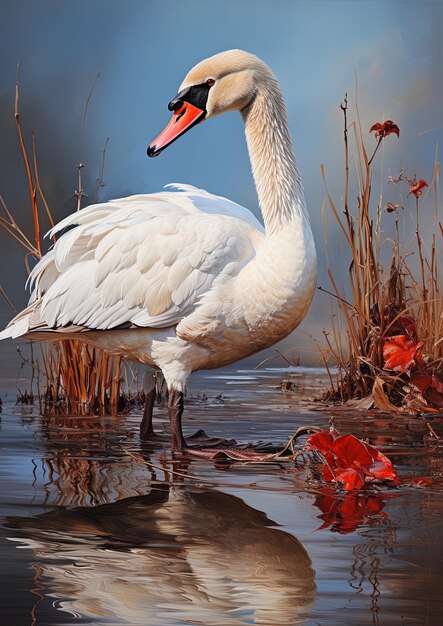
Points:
(178, 555)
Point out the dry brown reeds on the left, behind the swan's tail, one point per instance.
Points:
(71, 377)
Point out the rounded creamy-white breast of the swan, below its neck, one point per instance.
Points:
(260, 306)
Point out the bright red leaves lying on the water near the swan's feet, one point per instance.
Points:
(351, 462)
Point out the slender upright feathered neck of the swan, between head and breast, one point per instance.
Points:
(275, 172)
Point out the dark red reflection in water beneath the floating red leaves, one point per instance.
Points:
(344, 514)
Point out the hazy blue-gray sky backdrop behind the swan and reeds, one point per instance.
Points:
(134, 54)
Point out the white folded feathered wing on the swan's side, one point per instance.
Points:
(143, 260)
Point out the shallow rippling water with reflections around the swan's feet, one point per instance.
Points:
(99, 529)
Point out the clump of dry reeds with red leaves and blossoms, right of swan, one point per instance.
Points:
(387, 337)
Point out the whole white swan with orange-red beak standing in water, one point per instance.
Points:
(184, 280)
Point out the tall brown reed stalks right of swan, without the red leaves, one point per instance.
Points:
(377, 297)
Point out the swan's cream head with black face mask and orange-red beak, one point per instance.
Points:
(227, 81)
